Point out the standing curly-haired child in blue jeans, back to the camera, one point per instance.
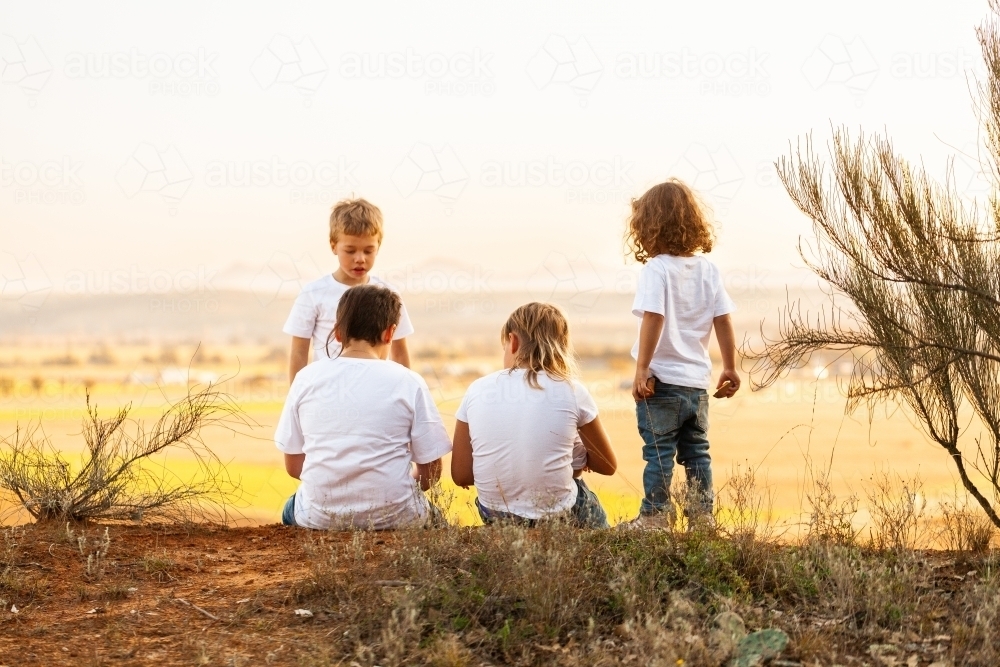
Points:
(680, 299)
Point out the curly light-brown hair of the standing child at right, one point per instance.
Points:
(668, 220)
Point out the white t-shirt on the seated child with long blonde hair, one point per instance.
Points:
(525, 441)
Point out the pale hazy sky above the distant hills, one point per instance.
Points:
(202, 137)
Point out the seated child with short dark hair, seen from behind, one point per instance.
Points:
(353, 424)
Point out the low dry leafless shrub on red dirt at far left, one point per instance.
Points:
(115, 479)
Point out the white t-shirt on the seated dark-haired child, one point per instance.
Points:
(360, 423)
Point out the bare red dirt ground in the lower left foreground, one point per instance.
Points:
(132, 613)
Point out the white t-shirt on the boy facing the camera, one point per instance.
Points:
(315, 312)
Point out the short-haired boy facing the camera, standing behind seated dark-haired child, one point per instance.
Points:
(355, 238)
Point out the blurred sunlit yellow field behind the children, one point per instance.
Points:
(774, 431)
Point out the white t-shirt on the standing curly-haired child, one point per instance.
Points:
(689, 293)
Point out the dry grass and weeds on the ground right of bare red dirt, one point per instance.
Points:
(558, 595)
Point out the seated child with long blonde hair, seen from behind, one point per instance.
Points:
(516, 429)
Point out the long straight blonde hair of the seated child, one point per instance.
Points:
(543, 334)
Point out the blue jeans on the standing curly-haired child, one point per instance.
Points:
(674, 422)
